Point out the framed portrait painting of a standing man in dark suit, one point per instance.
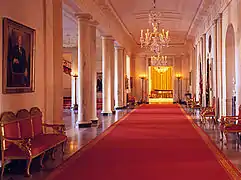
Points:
(18, 57)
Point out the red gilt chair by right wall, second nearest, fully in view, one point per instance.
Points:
(209, 112)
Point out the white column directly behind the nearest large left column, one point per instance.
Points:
(93, 59)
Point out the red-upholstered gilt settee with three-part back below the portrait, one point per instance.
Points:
(23, 136)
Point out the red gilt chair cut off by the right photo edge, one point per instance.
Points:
(230, 124)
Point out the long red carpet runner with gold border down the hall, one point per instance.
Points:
(154, 142)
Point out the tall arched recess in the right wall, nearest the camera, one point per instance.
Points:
(230, 69)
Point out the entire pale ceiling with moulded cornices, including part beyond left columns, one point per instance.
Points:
(123, 19)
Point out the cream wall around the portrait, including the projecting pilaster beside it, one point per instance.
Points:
(47, 22)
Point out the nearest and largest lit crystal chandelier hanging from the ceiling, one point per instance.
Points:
(154, 39)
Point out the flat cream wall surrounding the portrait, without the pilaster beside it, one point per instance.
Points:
(25, 15)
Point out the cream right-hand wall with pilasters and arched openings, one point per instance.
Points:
(230, 14)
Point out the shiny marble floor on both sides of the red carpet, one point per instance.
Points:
(77, 138)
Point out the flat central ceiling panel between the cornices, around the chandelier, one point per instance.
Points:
(177, 16)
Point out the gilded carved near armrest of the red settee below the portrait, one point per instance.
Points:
(23, 144)
